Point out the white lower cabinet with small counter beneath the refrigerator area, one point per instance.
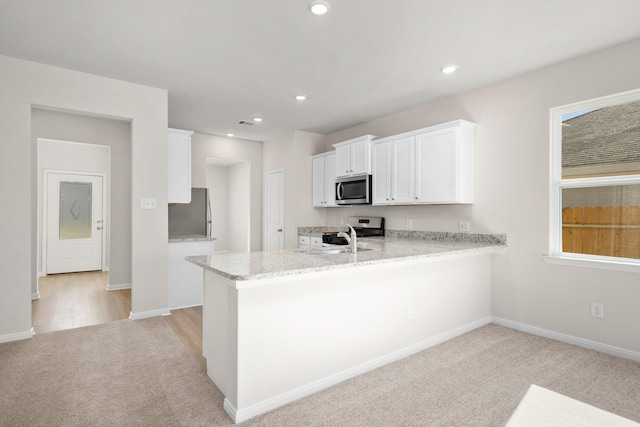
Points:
(186, 280)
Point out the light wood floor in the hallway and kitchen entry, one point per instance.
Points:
(74, 300)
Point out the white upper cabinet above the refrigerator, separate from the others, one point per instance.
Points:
(179, 165)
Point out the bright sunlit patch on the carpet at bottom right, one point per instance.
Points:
(545, 408)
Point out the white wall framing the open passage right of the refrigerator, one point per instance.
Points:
(203, 146)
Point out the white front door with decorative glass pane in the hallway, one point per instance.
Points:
(74, 223)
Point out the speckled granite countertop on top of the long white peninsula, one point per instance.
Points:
(395, 246)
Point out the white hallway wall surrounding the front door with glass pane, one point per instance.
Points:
(92, 130)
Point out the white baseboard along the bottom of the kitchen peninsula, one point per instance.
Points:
(331, 380)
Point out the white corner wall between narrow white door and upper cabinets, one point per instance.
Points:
(292, 152)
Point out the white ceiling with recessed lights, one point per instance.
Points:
(223, 61)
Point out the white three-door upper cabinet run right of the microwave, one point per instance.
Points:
(427, 166)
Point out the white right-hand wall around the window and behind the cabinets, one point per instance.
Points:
(512, 195)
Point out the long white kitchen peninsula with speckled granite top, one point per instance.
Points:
(278, 326)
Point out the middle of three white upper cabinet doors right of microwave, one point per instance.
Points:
(402, 170)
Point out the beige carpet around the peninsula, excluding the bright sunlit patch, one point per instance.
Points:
(138, 373)
